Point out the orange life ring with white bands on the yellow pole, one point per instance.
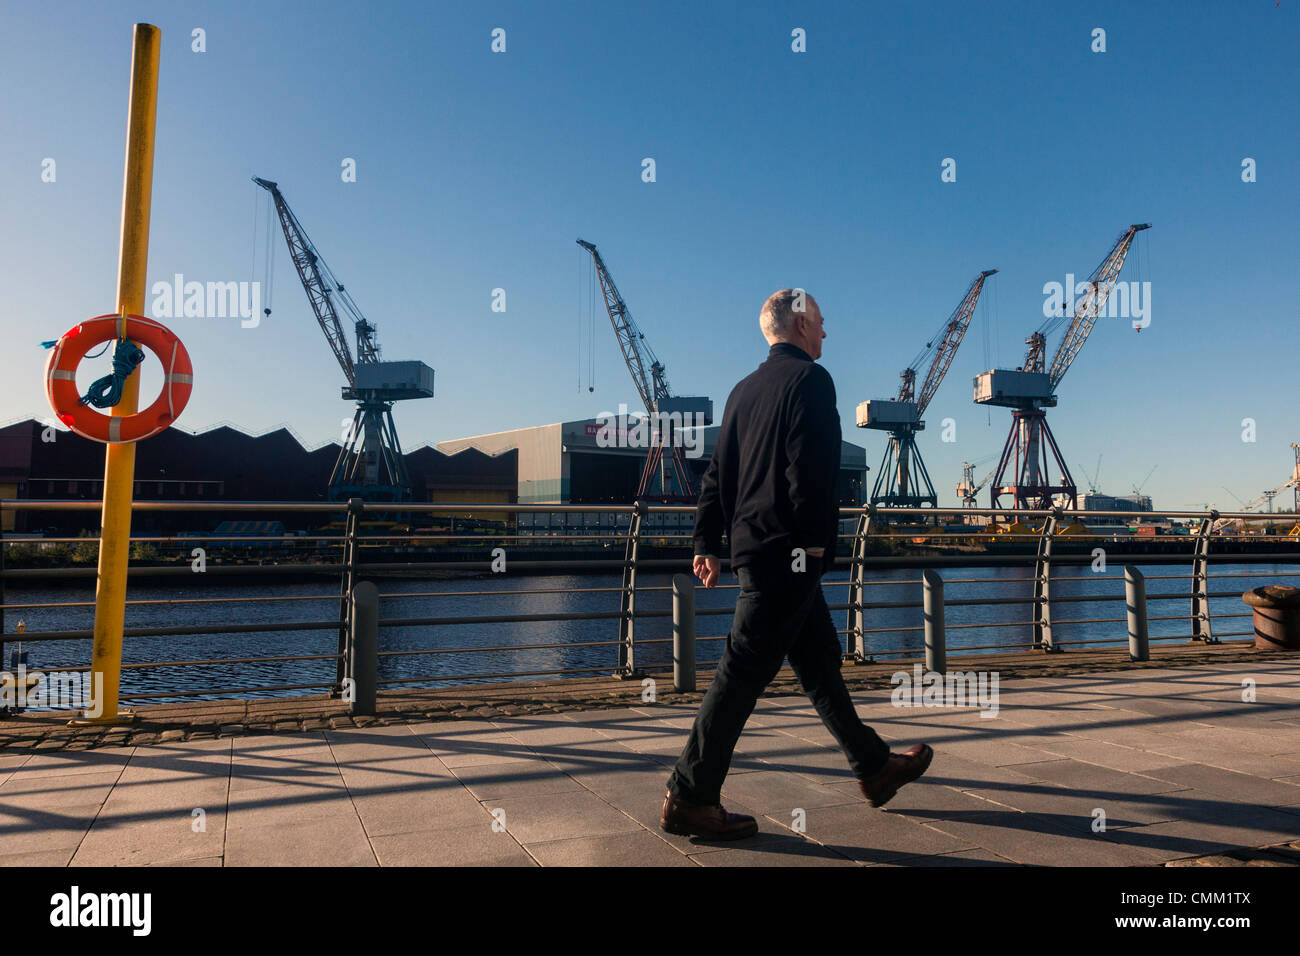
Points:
(89, 423)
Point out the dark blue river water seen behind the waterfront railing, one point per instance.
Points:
(570, 595)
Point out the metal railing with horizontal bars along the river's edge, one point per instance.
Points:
(354, 555)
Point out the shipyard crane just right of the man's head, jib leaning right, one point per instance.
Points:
(903, 481)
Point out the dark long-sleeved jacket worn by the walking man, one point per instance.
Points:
(772, 482)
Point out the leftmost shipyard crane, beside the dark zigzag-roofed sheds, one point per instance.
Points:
(371, 464)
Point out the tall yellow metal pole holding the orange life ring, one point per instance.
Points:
(115, 544)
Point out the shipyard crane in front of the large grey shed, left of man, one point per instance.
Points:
(664, 409)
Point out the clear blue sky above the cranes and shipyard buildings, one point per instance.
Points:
(820, 170)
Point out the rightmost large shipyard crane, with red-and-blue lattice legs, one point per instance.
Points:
(1024, 470)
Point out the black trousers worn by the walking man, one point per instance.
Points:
(779, 615)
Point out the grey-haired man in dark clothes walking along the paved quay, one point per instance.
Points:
(772, 485)
